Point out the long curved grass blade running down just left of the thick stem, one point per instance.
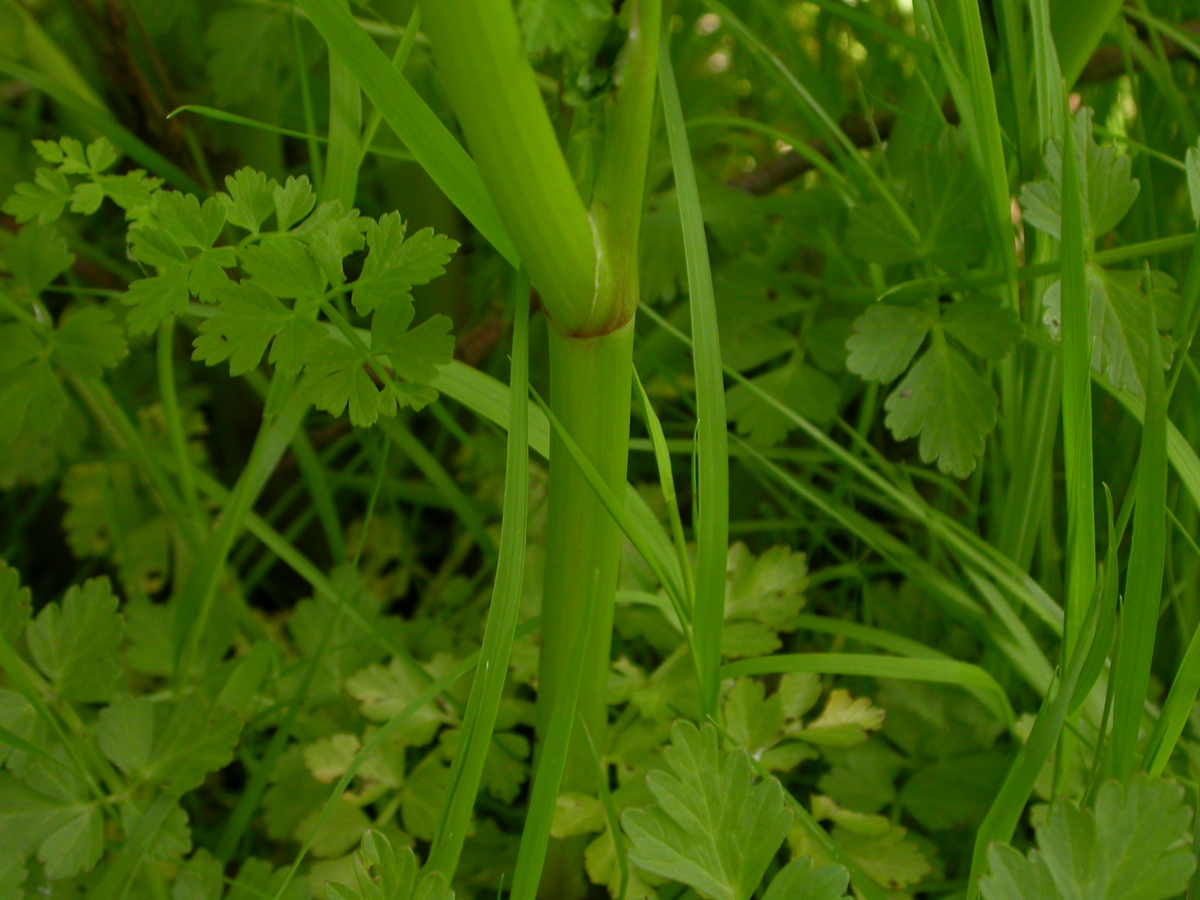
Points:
(488, 688)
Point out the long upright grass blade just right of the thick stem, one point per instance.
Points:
(712, 440)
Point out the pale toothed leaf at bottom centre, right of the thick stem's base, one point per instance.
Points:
(716, 827)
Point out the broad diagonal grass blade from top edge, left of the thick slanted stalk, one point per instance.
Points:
(412, 119)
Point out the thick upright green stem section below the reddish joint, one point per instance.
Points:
(591, 385)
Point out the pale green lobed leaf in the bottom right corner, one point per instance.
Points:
(1133, 844)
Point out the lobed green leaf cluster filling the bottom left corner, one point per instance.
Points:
(55, 815)
